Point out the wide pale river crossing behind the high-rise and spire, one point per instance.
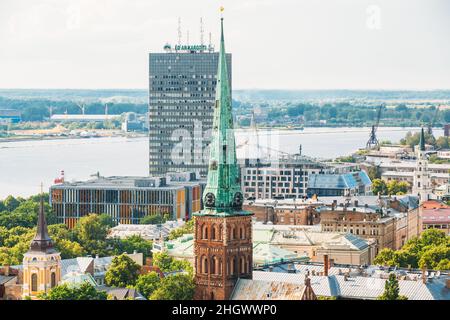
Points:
(25, 164)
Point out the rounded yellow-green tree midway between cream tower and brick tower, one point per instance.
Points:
(122, 272)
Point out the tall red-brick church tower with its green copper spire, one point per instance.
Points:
(223, 231)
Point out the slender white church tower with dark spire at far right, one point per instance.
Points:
(422, 180)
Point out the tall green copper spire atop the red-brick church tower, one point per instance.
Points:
(223, 193)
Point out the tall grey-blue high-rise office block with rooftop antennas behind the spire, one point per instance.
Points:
(182, 83)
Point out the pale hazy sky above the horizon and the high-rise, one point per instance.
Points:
(276, 44)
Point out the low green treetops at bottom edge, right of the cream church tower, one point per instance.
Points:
(85, 291)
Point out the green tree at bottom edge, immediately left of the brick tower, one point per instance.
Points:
(175, 287)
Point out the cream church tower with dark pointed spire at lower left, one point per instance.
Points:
(41, 263)
